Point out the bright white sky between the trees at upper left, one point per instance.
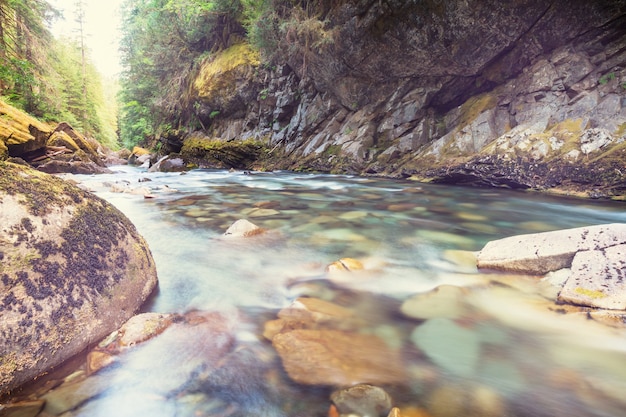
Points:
(102, 27)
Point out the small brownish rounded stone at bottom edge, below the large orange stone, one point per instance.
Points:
(362, 400)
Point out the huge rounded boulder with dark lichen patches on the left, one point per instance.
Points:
(73, 270)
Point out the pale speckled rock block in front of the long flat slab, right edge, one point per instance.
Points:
(597, 279)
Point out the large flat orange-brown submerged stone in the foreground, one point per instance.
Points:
(331, 357)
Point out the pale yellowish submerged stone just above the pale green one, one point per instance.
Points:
(443, 301)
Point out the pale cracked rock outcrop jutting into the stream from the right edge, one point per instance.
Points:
(594, 259)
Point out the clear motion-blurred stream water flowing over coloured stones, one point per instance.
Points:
(509, 352)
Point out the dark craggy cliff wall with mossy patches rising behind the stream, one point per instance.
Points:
(523, 94)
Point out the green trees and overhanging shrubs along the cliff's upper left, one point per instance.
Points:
(165, 41)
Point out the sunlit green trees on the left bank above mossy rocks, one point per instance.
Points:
(49, 78)
